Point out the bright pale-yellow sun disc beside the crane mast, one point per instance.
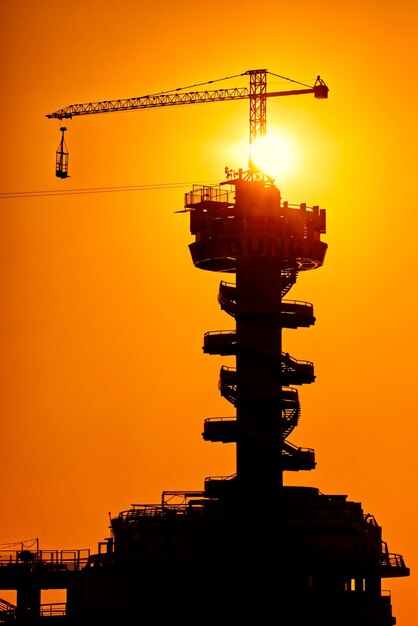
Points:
(275, 154)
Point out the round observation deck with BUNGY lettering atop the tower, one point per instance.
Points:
(230, 223)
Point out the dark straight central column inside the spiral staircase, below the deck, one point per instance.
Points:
(259, 340)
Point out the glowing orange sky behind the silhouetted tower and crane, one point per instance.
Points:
(104, 385)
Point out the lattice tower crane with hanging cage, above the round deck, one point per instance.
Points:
(256, 93)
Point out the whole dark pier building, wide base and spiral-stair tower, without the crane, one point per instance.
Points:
(245, 546)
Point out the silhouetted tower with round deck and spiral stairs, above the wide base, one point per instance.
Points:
(248, 231)
